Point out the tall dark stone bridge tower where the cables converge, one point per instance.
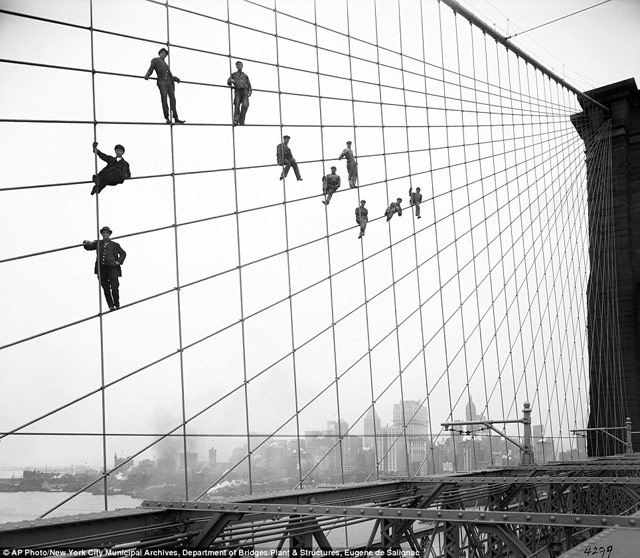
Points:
(612, 149)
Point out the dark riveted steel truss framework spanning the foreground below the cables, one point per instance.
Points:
(552, 506)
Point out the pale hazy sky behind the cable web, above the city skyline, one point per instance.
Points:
(263, 267)
